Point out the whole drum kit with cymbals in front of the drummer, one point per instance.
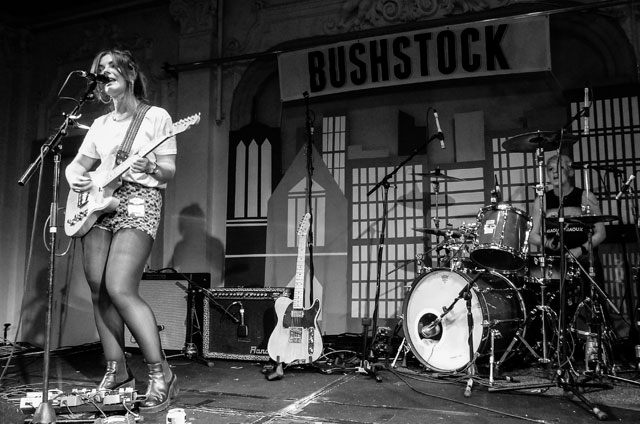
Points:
(511, 296)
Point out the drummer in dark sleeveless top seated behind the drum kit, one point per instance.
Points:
(577, 201)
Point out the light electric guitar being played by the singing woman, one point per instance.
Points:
(84, 208)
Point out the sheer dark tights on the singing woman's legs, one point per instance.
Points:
(113, 266)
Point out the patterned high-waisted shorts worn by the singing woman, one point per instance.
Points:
(139, 208)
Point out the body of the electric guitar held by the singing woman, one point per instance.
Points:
(84, 209)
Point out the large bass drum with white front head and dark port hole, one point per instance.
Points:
(496, 305)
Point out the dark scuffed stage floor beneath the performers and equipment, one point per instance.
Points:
(232, 391)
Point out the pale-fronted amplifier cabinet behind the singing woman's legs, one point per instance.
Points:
(176, 301)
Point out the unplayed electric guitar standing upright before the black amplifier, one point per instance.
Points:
(296, 337)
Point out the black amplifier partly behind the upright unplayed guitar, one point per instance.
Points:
(223, 335)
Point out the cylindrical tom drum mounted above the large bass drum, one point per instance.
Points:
(502, 239)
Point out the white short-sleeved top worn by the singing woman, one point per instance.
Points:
(105, 136)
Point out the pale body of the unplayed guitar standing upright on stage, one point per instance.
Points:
(296, 337)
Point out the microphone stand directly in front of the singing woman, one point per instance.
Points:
(45, 413)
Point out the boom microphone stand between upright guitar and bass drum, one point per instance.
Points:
(368, 354)
